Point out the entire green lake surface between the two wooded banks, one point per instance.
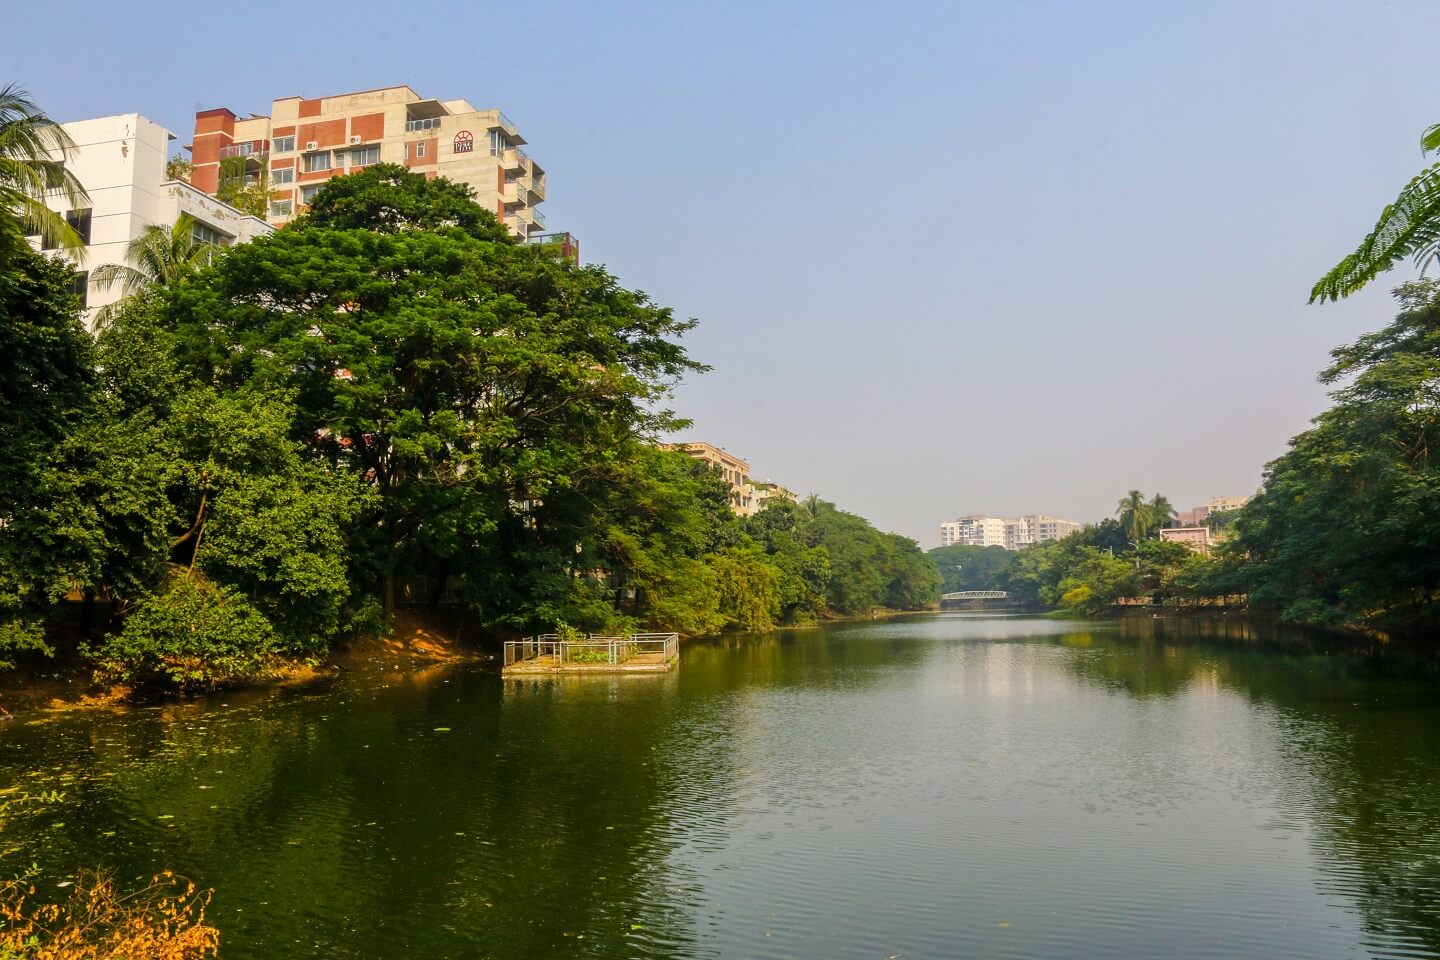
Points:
(934, 787)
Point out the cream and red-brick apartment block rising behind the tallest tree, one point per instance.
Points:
(305, 142)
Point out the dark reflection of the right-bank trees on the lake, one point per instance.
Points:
(1362, 720)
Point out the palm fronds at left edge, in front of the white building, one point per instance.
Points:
(31, 172)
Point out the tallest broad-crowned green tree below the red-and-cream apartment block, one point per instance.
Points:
(469, 381)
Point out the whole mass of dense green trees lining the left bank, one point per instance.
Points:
(390, 401)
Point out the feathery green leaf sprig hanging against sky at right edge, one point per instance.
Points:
(1410, 227)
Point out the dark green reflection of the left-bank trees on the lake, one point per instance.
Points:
(348, 825)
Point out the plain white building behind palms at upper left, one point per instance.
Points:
(122, 163)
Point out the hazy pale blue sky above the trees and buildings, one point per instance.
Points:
(948, 258)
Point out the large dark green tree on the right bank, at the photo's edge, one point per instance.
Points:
(1347, 527)
